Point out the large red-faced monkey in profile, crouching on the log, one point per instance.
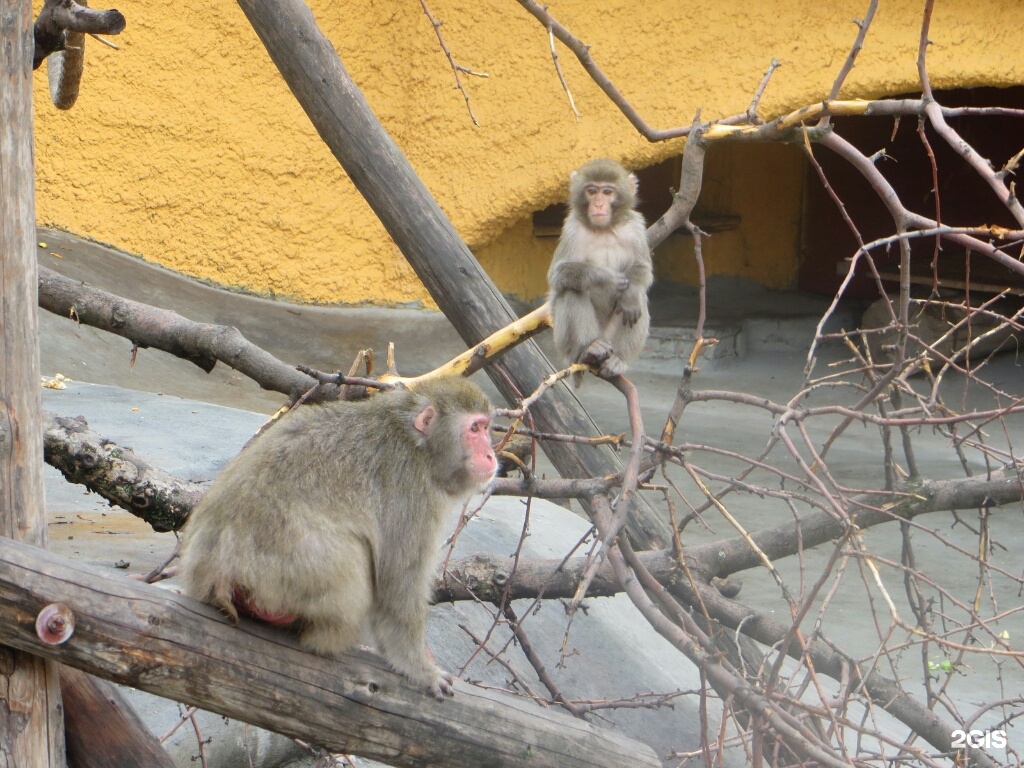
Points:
(331, 523)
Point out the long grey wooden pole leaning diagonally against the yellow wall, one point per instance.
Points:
(428, 239)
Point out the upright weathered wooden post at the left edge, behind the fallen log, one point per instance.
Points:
(31, 715)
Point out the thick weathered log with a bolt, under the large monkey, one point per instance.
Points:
(156, 641)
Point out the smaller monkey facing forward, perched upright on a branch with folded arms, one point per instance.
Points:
(602, 272)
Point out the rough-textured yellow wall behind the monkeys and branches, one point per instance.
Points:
(188, 149)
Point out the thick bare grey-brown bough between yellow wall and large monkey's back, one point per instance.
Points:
(145, 326)
